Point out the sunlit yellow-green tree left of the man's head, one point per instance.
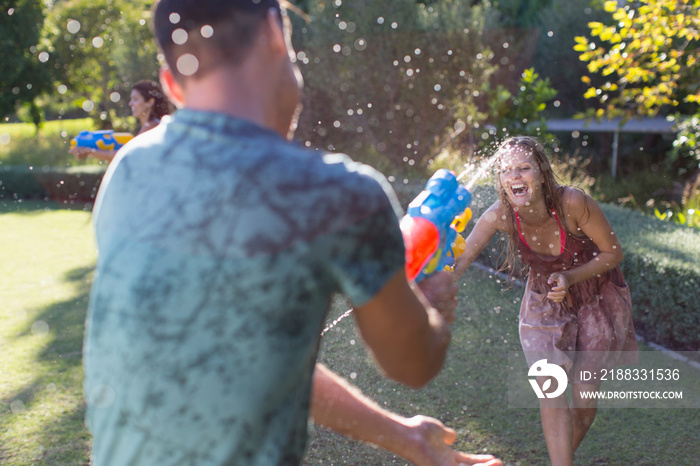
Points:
(100, 48)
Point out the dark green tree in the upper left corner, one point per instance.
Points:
(24, 73)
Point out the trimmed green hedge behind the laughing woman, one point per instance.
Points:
(661, 266)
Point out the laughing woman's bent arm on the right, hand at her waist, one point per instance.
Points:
(584, 216)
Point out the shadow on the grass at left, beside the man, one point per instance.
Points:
(54, 397)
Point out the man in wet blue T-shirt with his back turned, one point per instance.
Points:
(220, 245)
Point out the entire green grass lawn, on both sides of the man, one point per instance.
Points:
(47, 258)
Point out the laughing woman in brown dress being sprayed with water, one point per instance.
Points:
(576, 310)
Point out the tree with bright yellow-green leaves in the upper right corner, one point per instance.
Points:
(647, 61)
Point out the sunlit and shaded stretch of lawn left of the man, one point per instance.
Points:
(47, 260)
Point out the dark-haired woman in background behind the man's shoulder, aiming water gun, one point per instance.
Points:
(148, 105)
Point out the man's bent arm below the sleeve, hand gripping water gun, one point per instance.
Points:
(406, 334)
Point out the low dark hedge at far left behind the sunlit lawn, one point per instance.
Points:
(72, 184)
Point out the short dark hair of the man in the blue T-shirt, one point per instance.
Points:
(211, 31)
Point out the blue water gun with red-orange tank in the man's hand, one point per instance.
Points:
(432, 225)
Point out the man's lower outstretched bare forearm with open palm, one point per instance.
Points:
(422, 440)
